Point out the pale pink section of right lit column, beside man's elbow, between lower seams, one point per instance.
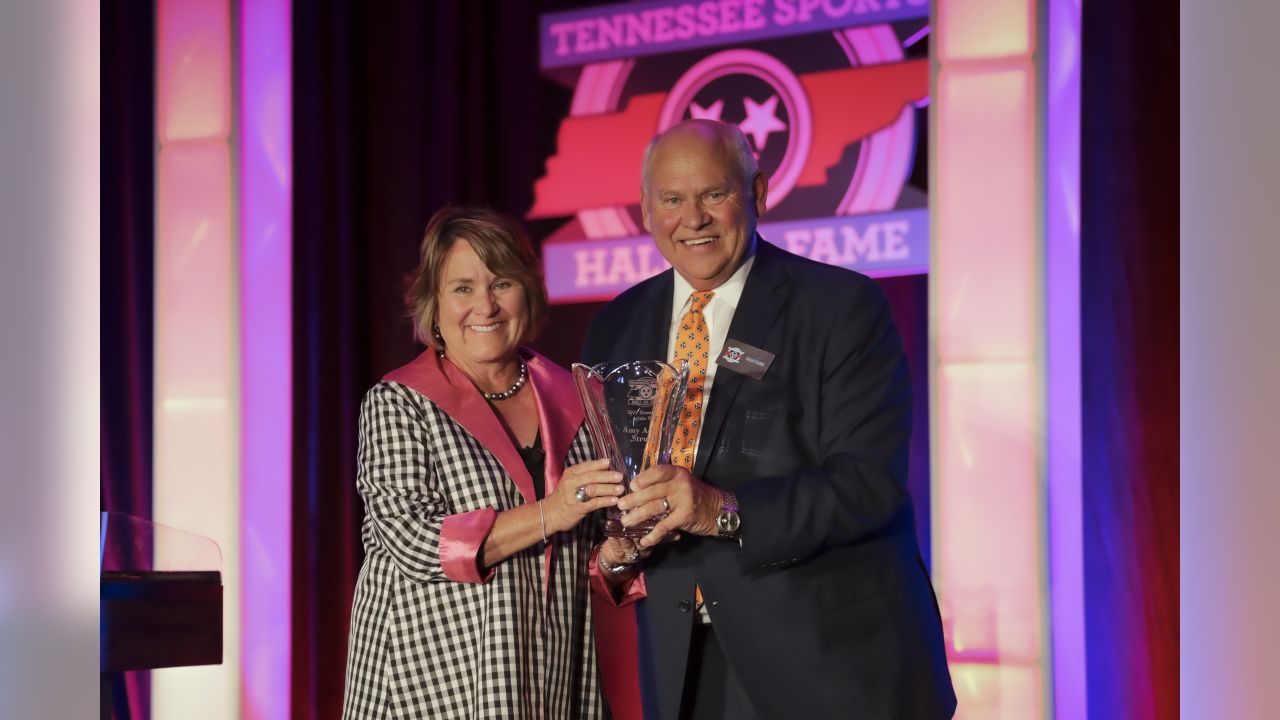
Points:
(989, 450)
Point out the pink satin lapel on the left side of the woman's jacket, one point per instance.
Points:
(446, 386)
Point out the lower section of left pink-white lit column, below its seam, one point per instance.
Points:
(196, 475)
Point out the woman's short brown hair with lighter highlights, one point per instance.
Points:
(502, 247)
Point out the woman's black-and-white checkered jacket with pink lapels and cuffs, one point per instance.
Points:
(429, 636)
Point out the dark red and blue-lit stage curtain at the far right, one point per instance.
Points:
(1130, 322)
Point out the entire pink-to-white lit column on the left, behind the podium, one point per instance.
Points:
(196, 326)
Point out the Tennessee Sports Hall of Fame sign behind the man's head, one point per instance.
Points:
(831, 95)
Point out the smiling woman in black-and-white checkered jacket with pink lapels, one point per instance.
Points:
(479, 494)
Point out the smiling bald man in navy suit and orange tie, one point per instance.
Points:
(785, 580)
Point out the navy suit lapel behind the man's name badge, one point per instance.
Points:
(764, 297)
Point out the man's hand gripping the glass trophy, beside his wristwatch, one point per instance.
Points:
(691, 504)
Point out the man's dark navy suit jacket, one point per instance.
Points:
(826, 609)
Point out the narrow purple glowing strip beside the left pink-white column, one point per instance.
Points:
(266, 188)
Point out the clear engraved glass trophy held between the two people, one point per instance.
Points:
(633, 411)
